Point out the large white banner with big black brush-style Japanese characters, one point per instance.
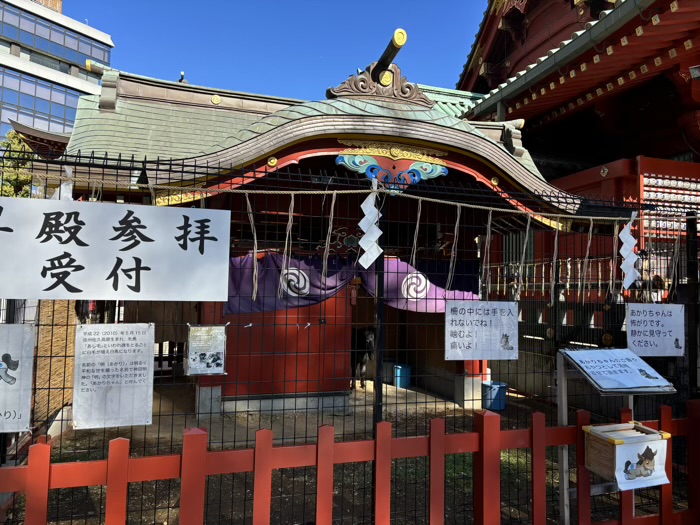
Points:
(87, 250)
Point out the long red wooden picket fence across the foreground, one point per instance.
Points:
(486, 443)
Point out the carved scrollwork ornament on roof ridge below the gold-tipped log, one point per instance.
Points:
(389, 86)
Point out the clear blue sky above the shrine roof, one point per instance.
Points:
(287, 48)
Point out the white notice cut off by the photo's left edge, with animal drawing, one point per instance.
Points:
(16, 374)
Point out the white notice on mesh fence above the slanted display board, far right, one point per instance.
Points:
(656, 329)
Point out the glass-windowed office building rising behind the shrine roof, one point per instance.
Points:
(43, 71)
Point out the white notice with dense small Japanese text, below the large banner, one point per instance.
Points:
(113, 381)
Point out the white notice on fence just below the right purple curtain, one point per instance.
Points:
(481, 330)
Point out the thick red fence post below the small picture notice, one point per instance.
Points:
(193, 476)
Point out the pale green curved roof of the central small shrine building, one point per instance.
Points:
(180, 126)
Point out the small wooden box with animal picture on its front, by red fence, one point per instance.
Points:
(610, 446)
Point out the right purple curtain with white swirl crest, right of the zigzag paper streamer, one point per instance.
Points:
(406, 288)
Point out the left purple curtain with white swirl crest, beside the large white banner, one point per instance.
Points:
(302, 284)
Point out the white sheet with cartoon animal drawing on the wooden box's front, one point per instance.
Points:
(640, 465)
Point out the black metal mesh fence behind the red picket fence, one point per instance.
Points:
(291, 369)
